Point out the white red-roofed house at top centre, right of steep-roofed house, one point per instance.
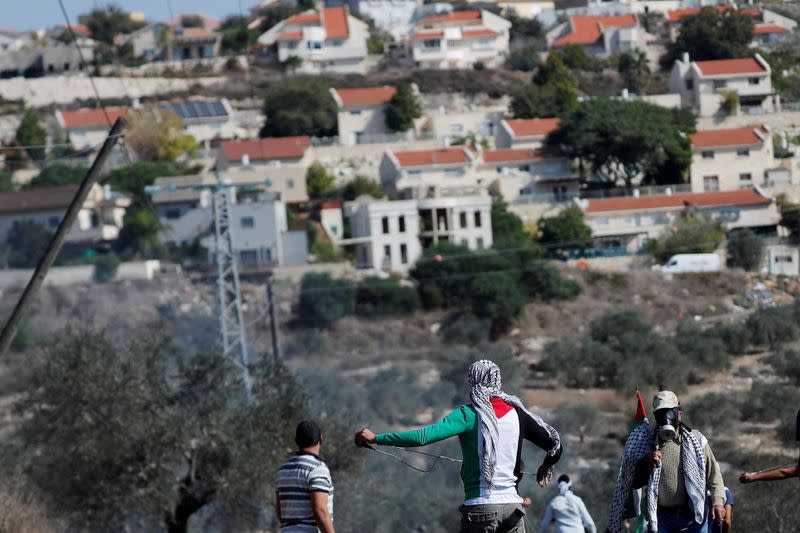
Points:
(460, 39)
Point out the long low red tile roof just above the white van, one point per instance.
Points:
(742, 197)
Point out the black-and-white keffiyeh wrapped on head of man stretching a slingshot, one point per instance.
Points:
(485, 384)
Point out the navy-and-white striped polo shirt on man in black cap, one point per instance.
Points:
(301, 475)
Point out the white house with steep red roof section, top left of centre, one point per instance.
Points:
(330, 40)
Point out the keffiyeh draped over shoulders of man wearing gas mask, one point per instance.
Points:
(641, 442)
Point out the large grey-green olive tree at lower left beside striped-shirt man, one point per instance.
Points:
(134, 418)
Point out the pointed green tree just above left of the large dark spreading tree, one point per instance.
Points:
(554, 91)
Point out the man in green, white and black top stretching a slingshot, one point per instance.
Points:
(490, 431)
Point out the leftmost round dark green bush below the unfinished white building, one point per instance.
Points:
(324, 300)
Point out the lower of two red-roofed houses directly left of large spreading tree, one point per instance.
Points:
(529, 173)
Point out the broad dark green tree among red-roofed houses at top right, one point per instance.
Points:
(711, 35)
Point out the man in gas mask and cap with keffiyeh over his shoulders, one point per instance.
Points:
(674, 466)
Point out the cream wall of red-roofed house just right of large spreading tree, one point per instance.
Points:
(728, 167)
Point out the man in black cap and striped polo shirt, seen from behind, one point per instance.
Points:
(304, 490)
